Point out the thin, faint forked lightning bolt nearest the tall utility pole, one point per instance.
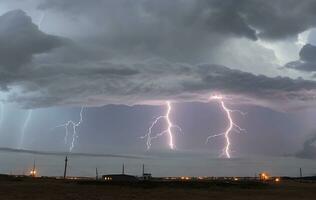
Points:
(74, 126)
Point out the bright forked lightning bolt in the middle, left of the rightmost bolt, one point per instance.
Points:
(168, 131)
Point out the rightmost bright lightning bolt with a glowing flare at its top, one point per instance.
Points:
(232, 126)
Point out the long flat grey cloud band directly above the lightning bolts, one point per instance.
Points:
(151, 81)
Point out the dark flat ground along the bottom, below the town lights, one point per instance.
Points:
(44, 189)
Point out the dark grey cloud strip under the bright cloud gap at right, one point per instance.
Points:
(235, 81)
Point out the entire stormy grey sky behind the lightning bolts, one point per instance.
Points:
(123, 59)
